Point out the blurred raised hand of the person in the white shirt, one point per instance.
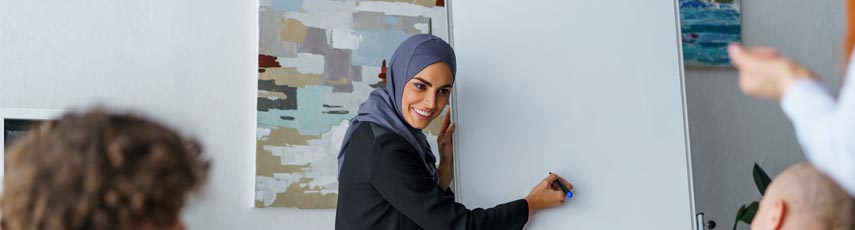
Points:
(764, 73)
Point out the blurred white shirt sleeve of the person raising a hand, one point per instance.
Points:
(825, 126)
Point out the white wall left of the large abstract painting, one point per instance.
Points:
(191, 64)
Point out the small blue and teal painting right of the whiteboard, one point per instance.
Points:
(708, 26)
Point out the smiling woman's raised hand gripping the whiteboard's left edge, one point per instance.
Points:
(446, 151)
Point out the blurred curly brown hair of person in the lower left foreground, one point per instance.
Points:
(99, 171)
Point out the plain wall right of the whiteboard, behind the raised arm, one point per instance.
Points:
(730, 131)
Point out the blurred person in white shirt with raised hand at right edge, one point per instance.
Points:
(825, 126)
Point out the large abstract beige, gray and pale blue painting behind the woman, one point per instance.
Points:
(318, 61)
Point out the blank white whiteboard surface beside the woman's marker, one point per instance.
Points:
(591, 90)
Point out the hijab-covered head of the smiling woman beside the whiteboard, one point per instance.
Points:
(422, 74)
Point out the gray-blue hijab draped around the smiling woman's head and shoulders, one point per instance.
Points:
(383, 106)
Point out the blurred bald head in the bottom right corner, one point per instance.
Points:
(803, 198)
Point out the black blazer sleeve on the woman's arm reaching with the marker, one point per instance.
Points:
(402, 179)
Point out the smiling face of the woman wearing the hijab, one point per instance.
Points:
(426, 94)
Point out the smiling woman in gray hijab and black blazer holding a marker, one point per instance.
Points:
(387, 173)
